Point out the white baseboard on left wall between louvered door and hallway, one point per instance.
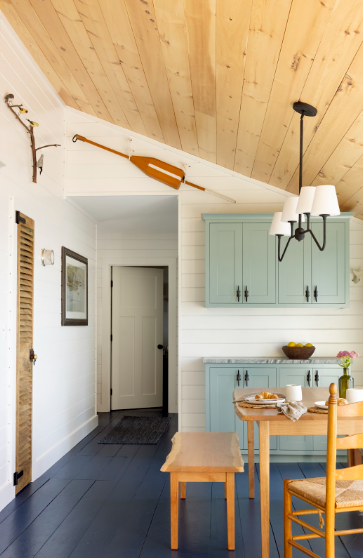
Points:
(45, 461)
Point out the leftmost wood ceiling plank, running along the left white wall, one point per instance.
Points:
(38, 55)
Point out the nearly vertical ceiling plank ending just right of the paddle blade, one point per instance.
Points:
(201, 27)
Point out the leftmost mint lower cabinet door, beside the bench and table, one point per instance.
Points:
(223, 381)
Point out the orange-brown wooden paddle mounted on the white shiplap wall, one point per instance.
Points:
(156, 169)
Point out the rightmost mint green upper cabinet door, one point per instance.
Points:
(329, 267)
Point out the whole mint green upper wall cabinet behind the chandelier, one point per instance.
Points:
(242, 268)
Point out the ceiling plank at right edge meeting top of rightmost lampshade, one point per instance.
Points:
(344, 157)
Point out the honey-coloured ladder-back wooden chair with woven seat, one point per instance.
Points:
(340, 491)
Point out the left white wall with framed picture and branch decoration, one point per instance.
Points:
(64, 376)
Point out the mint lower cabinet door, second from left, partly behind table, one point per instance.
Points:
(263, 379)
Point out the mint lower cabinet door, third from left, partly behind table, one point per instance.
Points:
(303, 377)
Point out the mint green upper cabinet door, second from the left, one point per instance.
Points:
(259, 264)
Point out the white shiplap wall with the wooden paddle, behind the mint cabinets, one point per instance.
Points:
(207, 331)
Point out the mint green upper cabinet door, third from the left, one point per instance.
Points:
(295, 272)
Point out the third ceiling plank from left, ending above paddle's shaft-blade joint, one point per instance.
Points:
(72, 22)
